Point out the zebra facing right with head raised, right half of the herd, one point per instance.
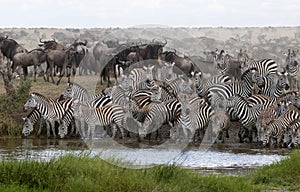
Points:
(243, 88)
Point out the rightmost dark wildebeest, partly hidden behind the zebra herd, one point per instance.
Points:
(184, 64)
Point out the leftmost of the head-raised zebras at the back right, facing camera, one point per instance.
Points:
(228, 65)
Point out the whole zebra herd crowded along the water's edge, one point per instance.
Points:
(153, 99)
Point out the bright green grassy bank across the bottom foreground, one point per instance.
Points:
(84, 173)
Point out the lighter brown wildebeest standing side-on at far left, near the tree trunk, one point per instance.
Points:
(34, 57)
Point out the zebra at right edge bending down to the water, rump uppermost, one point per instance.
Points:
(279, 126)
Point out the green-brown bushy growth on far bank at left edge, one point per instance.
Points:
(11, 109)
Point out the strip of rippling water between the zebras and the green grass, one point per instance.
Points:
(234, 159)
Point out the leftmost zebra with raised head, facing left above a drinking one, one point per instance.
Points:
(50, 109)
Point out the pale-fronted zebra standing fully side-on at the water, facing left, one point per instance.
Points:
(111, 114)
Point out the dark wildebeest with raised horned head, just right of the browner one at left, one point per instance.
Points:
(68, 60)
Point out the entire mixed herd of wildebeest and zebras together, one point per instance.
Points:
(158, 94)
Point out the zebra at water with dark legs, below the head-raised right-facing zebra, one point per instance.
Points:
(247, 116)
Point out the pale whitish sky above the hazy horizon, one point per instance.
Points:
(132, 13)
